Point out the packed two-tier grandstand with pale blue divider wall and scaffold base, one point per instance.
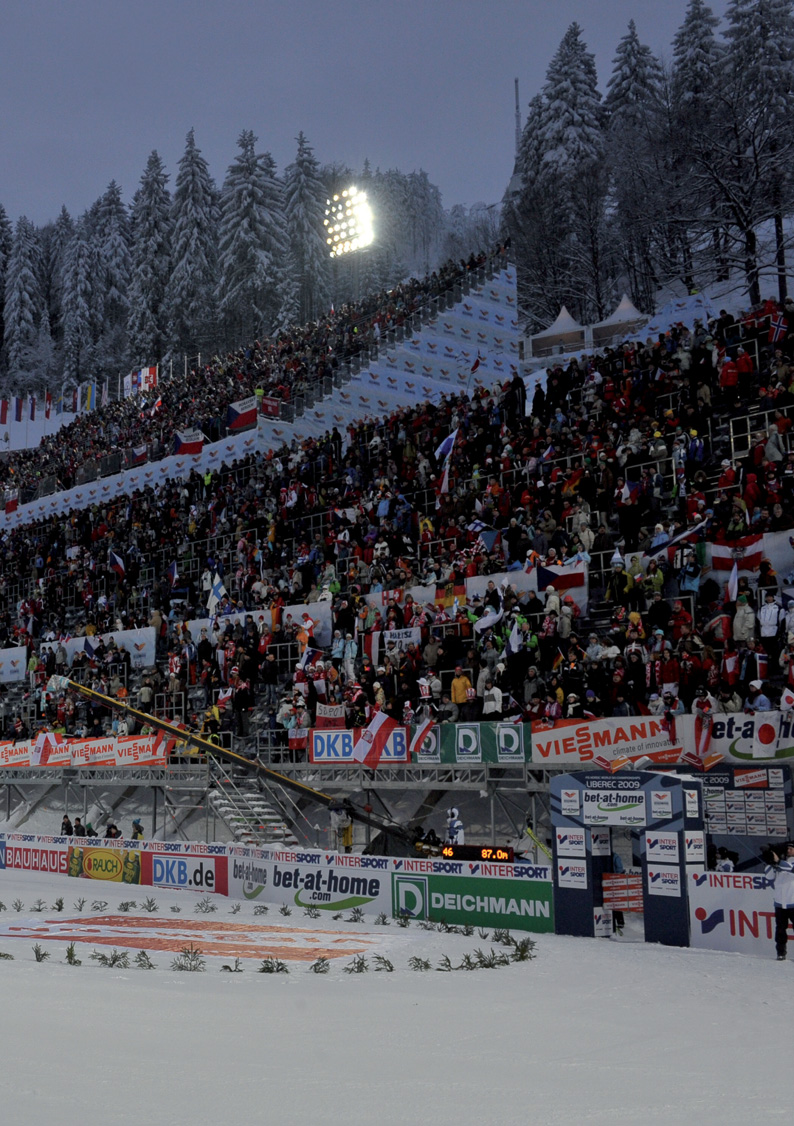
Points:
(606, 538)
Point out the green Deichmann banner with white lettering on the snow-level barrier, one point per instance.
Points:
(521, 904)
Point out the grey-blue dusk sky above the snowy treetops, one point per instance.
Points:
(91, 87)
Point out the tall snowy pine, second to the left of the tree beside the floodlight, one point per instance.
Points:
(191, 296)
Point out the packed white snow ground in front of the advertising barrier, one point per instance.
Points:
(590, 1032)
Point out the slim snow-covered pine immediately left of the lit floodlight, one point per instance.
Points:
(305, 204)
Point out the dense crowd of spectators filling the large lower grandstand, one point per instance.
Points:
(609, 464)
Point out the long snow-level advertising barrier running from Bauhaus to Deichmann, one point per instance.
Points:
(512, 897)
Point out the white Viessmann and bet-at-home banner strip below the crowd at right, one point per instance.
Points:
(738, 738)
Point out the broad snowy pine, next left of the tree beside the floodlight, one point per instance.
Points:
(252, 244)
